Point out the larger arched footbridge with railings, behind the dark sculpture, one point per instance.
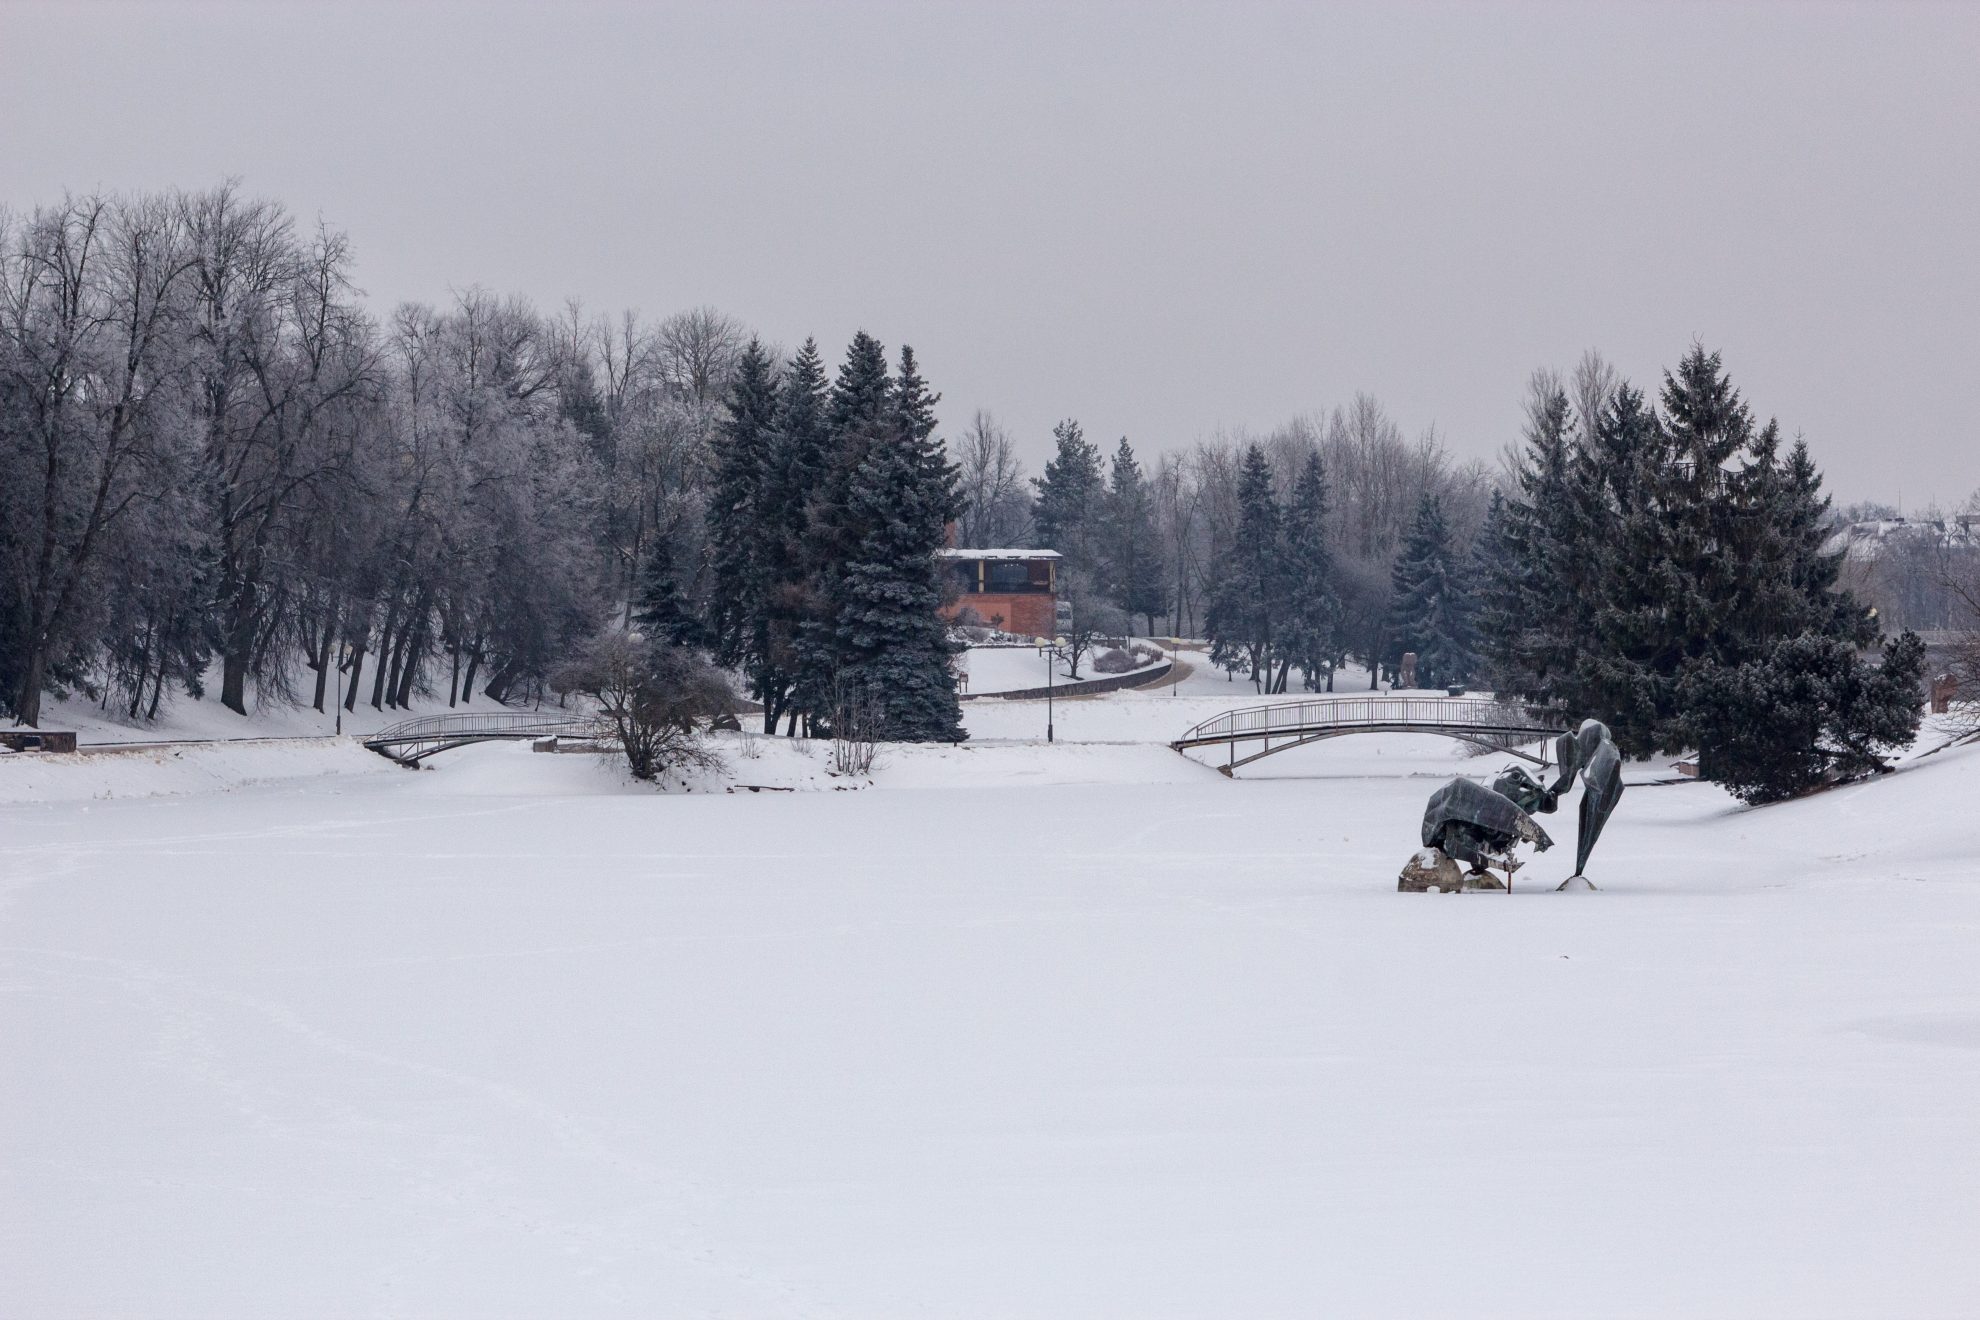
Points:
(1290, 725)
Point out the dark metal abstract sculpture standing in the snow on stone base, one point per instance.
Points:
(1482, 826)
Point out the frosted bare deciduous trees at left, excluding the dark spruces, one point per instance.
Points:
(215, 460)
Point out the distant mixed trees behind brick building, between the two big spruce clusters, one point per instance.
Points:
(1324, 541)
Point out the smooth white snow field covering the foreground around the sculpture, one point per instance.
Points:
(1013, 1032)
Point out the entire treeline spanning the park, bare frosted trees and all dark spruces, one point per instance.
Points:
(215, 462)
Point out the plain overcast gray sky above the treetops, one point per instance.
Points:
(1157, 219)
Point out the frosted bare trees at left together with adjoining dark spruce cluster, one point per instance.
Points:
(217, 464)
